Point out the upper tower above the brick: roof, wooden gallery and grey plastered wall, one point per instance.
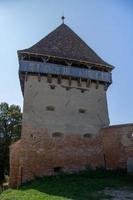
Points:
(64, 85)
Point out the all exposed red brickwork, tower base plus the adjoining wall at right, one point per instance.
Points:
(39, 154)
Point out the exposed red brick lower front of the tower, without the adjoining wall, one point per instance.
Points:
(71, 152)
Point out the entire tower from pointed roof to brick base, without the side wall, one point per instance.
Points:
(64, 84)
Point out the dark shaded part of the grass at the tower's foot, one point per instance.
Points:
(82, 186)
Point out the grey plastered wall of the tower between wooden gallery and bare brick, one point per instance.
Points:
(66, 117)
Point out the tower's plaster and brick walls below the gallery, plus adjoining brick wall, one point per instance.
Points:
(65, 138)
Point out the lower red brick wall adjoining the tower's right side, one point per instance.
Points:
(118, 146)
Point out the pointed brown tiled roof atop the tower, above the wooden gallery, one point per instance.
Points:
(63, 42)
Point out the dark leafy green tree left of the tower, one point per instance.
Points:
(10, 131)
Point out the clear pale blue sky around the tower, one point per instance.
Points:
(105, 25)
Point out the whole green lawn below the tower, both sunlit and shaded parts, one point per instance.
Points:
(82, 186)
